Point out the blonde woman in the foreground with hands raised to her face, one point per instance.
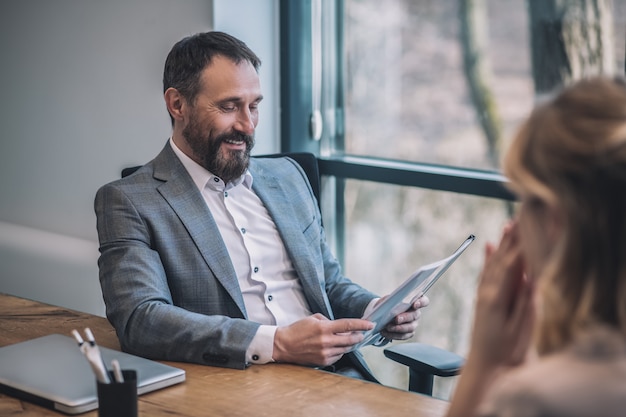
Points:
(549, 335)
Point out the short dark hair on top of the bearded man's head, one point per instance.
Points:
(191, 55)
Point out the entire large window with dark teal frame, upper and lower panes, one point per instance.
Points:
(418, 100)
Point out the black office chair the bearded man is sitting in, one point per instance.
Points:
(424, 361)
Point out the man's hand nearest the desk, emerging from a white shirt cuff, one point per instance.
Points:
(318, 341)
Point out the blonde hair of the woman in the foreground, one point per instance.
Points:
(571, 154)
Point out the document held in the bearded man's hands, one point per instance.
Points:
(407, 293)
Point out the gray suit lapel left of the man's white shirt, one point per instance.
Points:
(182, 195)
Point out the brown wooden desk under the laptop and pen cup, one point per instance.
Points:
(274, 390)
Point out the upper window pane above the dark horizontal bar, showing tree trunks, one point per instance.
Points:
(433, 81)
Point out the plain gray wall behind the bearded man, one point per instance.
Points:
(81, 100)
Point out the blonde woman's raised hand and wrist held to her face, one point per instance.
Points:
(503, 322)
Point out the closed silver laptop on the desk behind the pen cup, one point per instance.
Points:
(51, 371)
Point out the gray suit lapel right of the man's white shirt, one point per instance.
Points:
(276, 199)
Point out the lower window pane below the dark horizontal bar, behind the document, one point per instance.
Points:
(392, 230)
